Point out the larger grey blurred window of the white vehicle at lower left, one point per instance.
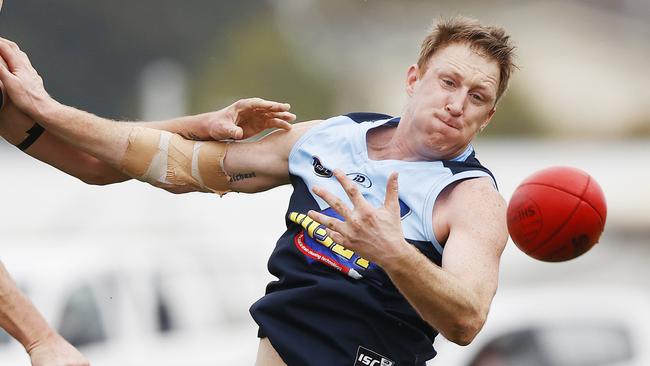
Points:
(81, 321)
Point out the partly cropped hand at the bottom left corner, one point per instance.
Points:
(55, 351)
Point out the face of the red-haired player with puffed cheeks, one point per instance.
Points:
(452, 100)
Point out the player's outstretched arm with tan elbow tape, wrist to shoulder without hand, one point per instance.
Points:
(117, 143)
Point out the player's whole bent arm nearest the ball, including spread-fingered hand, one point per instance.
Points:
(454, 298)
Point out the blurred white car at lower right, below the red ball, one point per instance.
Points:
(559, 326)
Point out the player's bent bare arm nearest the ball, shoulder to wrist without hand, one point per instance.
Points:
(456, 297)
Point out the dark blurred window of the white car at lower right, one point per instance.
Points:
(566, 345)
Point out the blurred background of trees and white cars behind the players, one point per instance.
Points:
(134, 276)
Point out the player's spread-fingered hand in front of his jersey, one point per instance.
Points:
(374, 233)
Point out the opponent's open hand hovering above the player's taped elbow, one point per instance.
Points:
(248, 117)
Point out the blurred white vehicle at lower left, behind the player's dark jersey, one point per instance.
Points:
(136, 305)
